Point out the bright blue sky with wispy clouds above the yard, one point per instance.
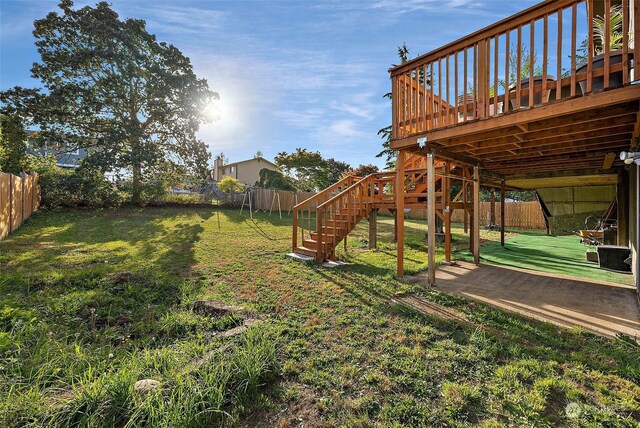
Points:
(290, 73)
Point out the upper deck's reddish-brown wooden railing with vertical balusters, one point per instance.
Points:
(567, 48)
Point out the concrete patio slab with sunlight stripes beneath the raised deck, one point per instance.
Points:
(604, 308)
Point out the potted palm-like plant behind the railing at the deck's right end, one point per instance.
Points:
(615, 49)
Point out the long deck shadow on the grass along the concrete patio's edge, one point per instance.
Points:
(515, 336)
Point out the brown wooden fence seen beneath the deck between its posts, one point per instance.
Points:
(521, 215)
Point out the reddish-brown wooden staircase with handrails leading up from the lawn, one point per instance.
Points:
(321, 222)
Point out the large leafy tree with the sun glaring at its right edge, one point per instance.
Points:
(110, 87)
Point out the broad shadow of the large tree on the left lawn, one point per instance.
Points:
(118, 271)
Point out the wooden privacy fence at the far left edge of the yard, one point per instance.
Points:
(19, 197)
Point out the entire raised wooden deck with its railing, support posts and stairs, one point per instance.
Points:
(477, 112)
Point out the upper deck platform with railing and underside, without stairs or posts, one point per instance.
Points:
(471, 100)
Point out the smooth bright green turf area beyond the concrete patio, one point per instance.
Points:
(563, 255)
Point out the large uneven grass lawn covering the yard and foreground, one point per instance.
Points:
(91, 302)
